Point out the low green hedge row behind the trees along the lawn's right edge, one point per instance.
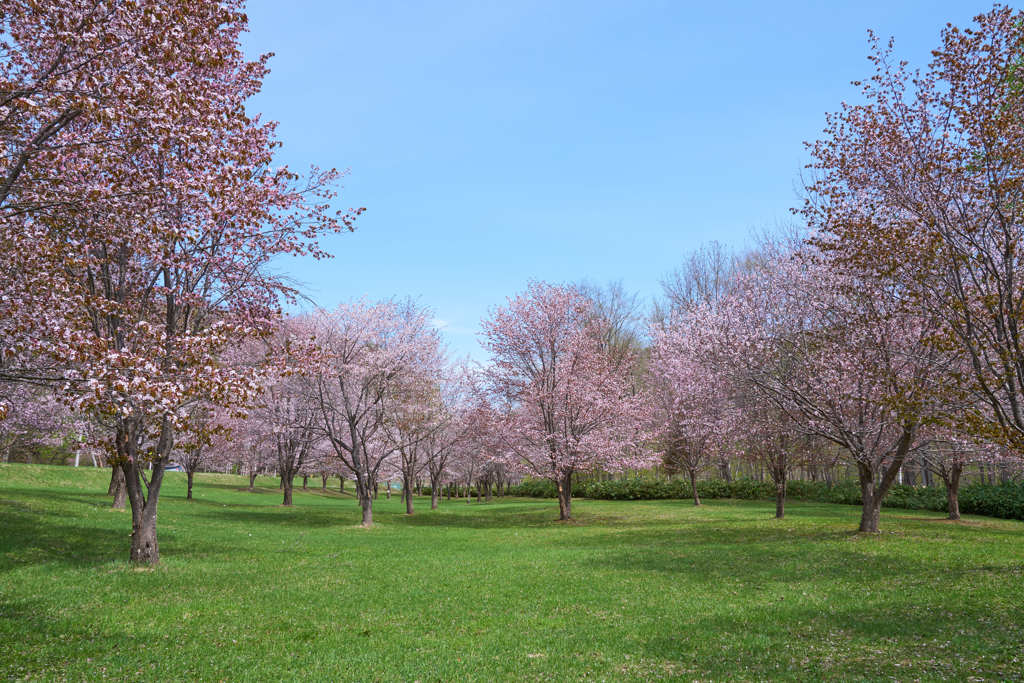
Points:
(1006, 500)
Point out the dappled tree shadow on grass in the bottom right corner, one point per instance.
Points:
(908, 637)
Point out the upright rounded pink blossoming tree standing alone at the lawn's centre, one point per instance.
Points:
(562, 403)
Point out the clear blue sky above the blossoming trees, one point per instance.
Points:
(495, 143)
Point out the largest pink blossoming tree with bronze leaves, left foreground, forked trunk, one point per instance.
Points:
(145, 206)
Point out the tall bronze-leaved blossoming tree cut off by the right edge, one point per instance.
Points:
(923, 185)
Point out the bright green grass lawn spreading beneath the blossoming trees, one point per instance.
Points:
(248, 590)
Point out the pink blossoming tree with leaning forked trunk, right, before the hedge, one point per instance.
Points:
(840, 356)
